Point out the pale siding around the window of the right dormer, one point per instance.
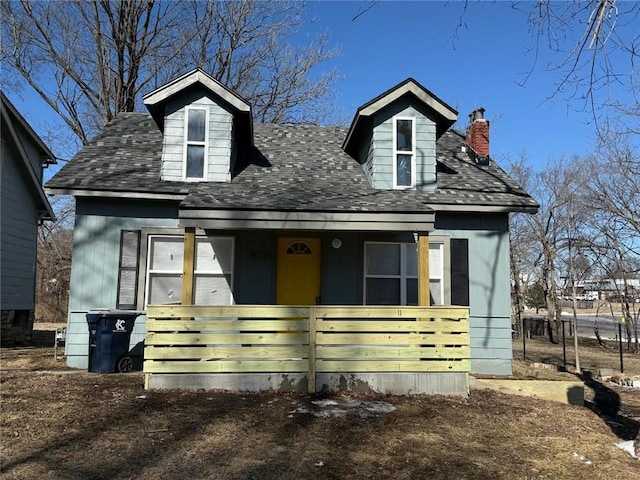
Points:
(382, 146)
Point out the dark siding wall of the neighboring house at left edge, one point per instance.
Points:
(19, 220)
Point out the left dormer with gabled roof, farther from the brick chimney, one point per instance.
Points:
(204, 125)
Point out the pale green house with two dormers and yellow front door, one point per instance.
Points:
(291, 214)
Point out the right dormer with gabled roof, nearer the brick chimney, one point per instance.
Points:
(394, 137)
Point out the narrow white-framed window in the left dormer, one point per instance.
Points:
(195, 147)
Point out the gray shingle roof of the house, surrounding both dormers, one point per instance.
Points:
(292, 168)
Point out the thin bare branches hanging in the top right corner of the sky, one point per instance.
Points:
(596, 47)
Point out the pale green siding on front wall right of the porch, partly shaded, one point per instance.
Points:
(489, 287)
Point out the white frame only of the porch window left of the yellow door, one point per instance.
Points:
(178, 272)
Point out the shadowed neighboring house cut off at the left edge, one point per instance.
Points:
(24, 205)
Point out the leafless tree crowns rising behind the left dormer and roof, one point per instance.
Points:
(90, 60)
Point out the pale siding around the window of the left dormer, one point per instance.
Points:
(219, 138)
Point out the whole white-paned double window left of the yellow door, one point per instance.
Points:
(213, 270)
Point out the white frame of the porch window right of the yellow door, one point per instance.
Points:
(443, 273)
